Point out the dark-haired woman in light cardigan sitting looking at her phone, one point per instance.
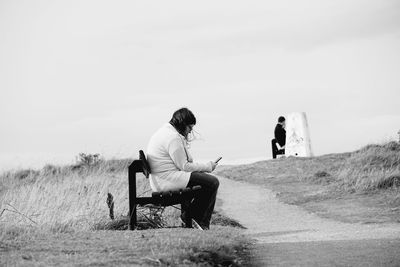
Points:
(172, 168)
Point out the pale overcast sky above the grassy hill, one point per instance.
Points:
(102, 76)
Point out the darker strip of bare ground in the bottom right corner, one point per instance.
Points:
(328, 253)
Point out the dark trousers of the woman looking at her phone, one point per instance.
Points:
(202, 205)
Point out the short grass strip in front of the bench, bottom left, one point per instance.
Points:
(39, 247)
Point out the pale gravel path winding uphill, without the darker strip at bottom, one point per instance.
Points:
(271, 221)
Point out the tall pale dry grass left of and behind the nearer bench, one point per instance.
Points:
(66, 197)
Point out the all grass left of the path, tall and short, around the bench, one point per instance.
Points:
(59, 216)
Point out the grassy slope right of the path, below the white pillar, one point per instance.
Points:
(361, 186)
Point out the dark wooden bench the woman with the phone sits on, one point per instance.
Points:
(162, 199)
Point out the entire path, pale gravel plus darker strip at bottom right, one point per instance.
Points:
(278, 226)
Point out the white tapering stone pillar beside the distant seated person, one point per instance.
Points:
(298, 142)
